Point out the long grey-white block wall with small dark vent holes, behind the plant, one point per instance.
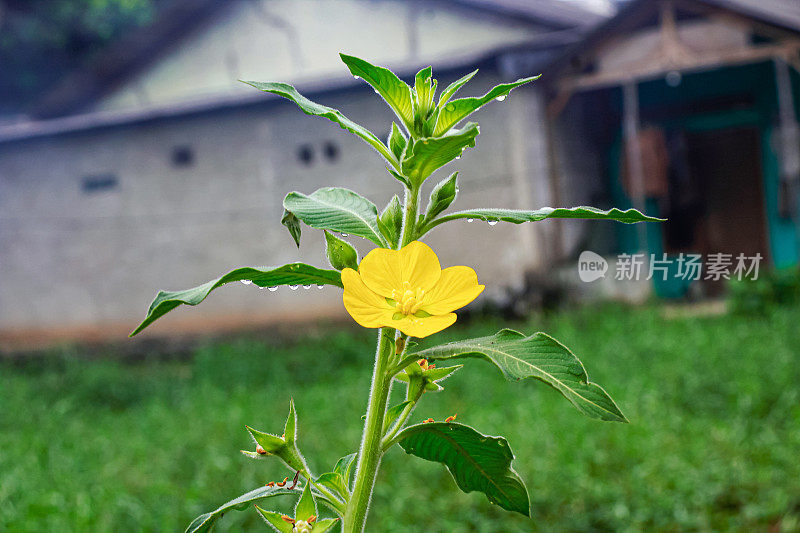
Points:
(69, 259)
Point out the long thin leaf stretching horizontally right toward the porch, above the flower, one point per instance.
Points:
(518, 216)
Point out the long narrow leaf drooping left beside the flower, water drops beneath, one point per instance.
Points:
(291, 274)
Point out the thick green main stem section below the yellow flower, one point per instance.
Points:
(369, 457)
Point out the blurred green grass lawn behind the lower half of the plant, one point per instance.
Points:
(713, 443)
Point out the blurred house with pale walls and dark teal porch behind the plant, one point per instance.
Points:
(155, 168)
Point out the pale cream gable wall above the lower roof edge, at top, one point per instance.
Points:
(299, 40)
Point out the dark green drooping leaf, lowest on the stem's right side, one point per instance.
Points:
(477, 462)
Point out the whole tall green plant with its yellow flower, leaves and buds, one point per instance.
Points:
(400, 289)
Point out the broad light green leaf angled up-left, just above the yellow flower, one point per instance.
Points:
(336, 209)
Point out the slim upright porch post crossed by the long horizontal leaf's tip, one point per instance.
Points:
(630, 119)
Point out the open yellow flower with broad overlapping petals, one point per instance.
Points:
(407, 289)
